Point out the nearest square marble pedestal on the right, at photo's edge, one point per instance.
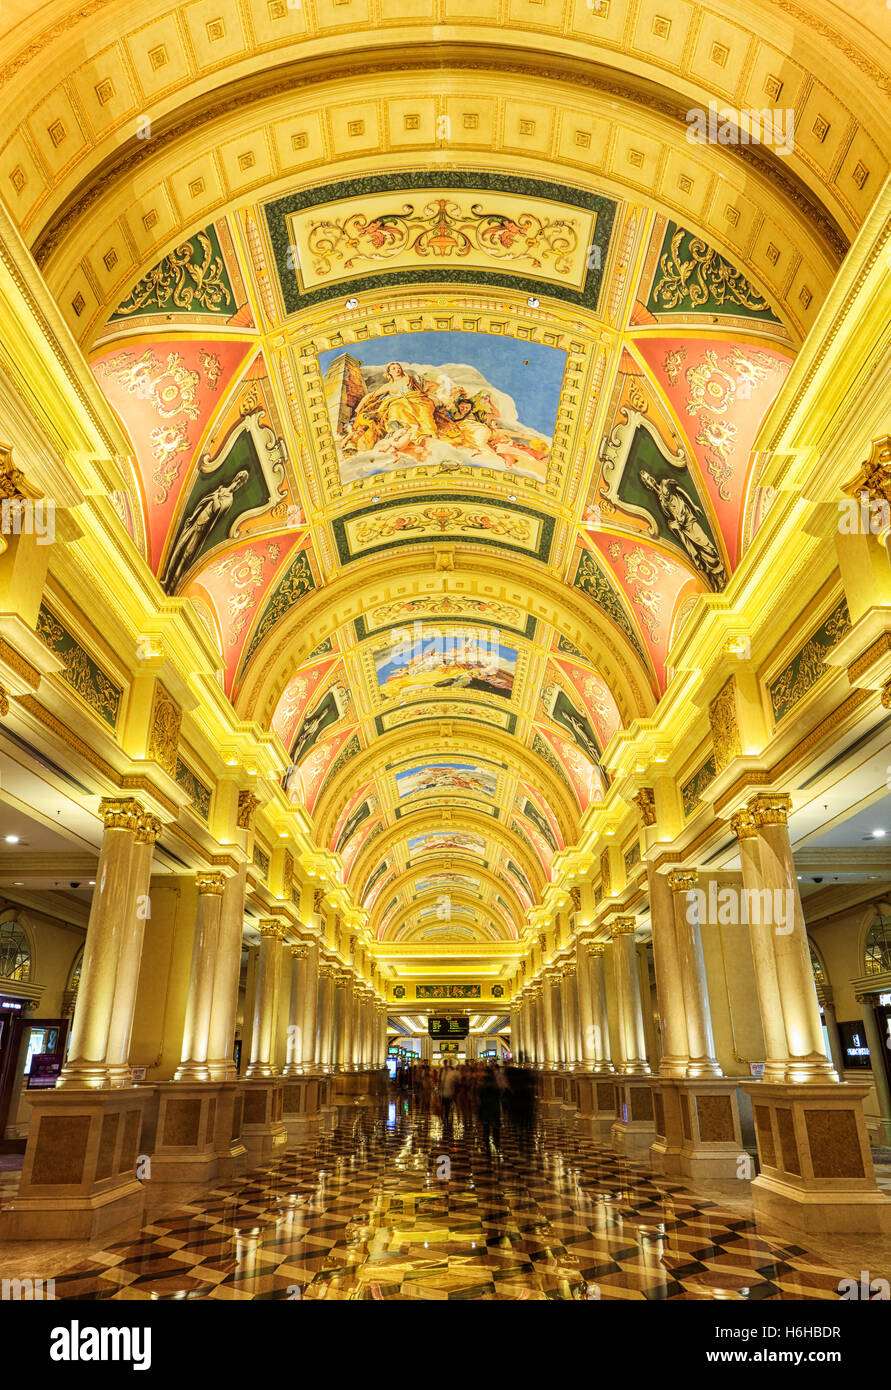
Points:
(817, 1170)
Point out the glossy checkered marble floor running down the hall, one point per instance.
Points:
(386, 1206)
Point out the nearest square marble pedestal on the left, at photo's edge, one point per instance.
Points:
(80, 1179)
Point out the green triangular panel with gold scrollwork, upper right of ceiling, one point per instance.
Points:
(693, 279)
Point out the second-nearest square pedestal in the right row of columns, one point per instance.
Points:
(698, 1129)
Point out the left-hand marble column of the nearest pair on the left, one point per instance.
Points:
(111, 918)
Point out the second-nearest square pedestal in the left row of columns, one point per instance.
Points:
(181, 1132)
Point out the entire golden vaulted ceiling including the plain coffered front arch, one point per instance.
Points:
(443, 369)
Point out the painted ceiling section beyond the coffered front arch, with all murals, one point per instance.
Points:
(293, 444)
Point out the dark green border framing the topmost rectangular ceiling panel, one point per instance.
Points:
(402, 187)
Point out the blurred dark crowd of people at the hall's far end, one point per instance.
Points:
(477, 1093)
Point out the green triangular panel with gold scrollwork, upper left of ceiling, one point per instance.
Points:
(191, 280)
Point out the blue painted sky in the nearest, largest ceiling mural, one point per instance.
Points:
(530, 373)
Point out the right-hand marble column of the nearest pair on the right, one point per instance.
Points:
(807, 1060)
